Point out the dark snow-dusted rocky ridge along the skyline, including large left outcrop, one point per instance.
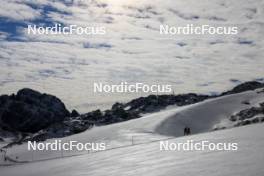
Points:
(37, 116)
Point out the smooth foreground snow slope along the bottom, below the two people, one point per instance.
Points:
(147, 160)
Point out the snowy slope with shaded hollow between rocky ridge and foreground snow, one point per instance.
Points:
(200, 117)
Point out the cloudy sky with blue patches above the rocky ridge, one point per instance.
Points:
(132, 50)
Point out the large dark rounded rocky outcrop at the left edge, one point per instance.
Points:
(30, 111)
